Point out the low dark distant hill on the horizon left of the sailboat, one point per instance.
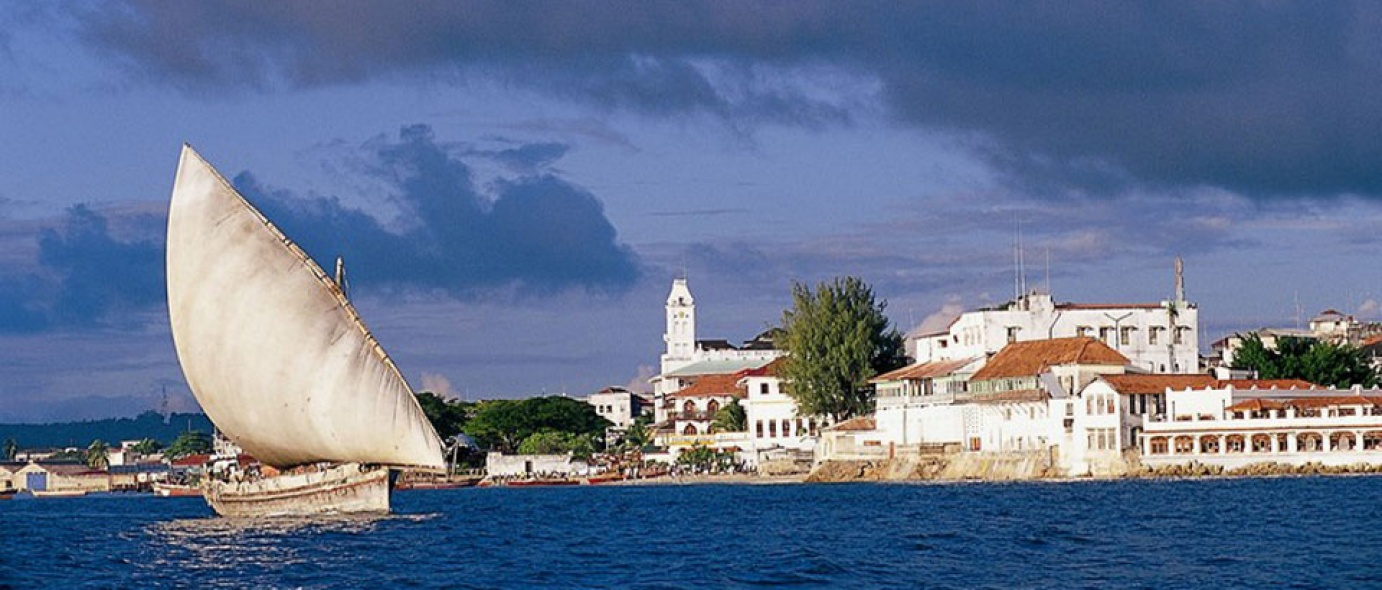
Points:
(149, 425)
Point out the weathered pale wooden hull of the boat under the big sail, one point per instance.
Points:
(339, 490)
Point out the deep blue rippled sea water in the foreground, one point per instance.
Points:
(1287, 533)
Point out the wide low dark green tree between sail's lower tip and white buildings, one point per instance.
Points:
(505, 424)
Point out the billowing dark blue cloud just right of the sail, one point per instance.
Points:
(536, 233)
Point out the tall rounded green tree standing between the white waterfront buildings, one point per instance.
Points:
(837, 339)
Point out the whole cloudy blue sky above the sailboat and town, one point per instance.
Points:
(515, 184)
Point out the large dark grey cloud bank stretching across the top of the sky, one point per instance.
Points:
(1264, 99)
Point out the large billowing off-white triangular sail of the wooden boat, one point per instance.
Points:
(273, 350)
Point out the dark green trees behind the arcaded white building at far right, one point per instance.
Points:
(1321, 363)
